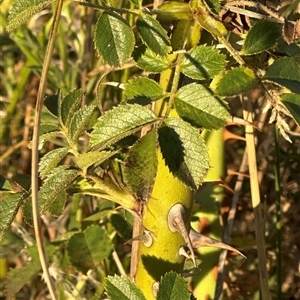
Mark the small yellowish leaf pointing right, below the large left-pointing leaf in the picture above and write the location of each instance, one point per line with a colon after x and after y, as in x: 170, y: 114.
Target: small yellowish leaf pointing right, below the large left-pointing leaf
x: 85, y: 160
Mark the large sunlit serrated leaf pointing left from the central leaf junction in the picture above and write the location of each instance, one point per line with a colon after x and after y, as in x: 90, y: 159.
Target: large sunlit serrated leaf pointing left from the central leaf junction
x: 119, y: 122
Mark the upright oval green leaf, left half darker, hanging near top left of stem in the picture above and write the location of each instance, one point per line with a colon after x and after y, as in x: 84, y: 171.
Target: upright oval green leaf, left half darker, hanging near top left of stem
x: 113, y: 38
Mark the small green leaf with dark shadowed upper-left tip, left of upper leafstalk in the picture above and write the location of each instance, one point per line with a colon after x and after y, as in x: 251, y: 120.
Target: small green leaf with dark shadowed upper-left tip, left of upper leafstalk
x: 149, y: 61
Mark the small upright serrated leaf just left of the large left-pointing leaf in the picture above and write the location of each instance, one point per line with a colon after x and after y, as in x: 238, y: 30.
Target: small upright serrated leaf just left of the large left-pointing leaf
x: 79, y: 122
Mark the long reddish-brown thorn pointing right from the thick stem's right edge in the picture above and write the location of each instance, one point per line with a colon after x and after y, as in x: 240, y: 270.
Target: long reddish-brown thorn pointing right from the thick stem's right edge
x: 199, y: 240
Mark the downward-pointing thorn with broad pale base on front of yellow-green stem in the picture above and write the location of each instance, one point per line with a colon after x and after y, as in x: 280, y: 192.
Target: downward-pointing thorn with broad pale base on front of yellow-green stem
x: 176, y: 223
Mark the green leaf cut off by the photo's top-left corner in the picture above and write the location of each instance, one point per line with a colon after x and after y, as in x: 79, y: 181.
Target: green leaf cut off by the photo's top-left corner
x: 21, y: 10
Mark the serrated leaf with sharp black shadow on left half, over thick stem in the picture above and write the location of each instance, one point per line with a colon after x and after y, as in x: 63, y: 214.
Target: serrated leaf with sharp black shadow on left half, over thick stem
x: 184, y: 151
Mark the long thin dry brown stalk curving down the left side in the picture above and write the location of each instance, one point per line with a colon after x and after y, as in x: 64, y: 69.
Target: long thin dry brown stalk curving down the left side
x: 35, y: 153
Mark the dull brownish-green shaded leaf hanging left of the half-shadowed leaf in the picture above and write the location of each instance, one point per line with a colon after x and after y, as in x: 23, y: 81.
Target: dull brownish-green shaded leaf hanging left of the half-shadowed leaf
x: 141, y: 166
